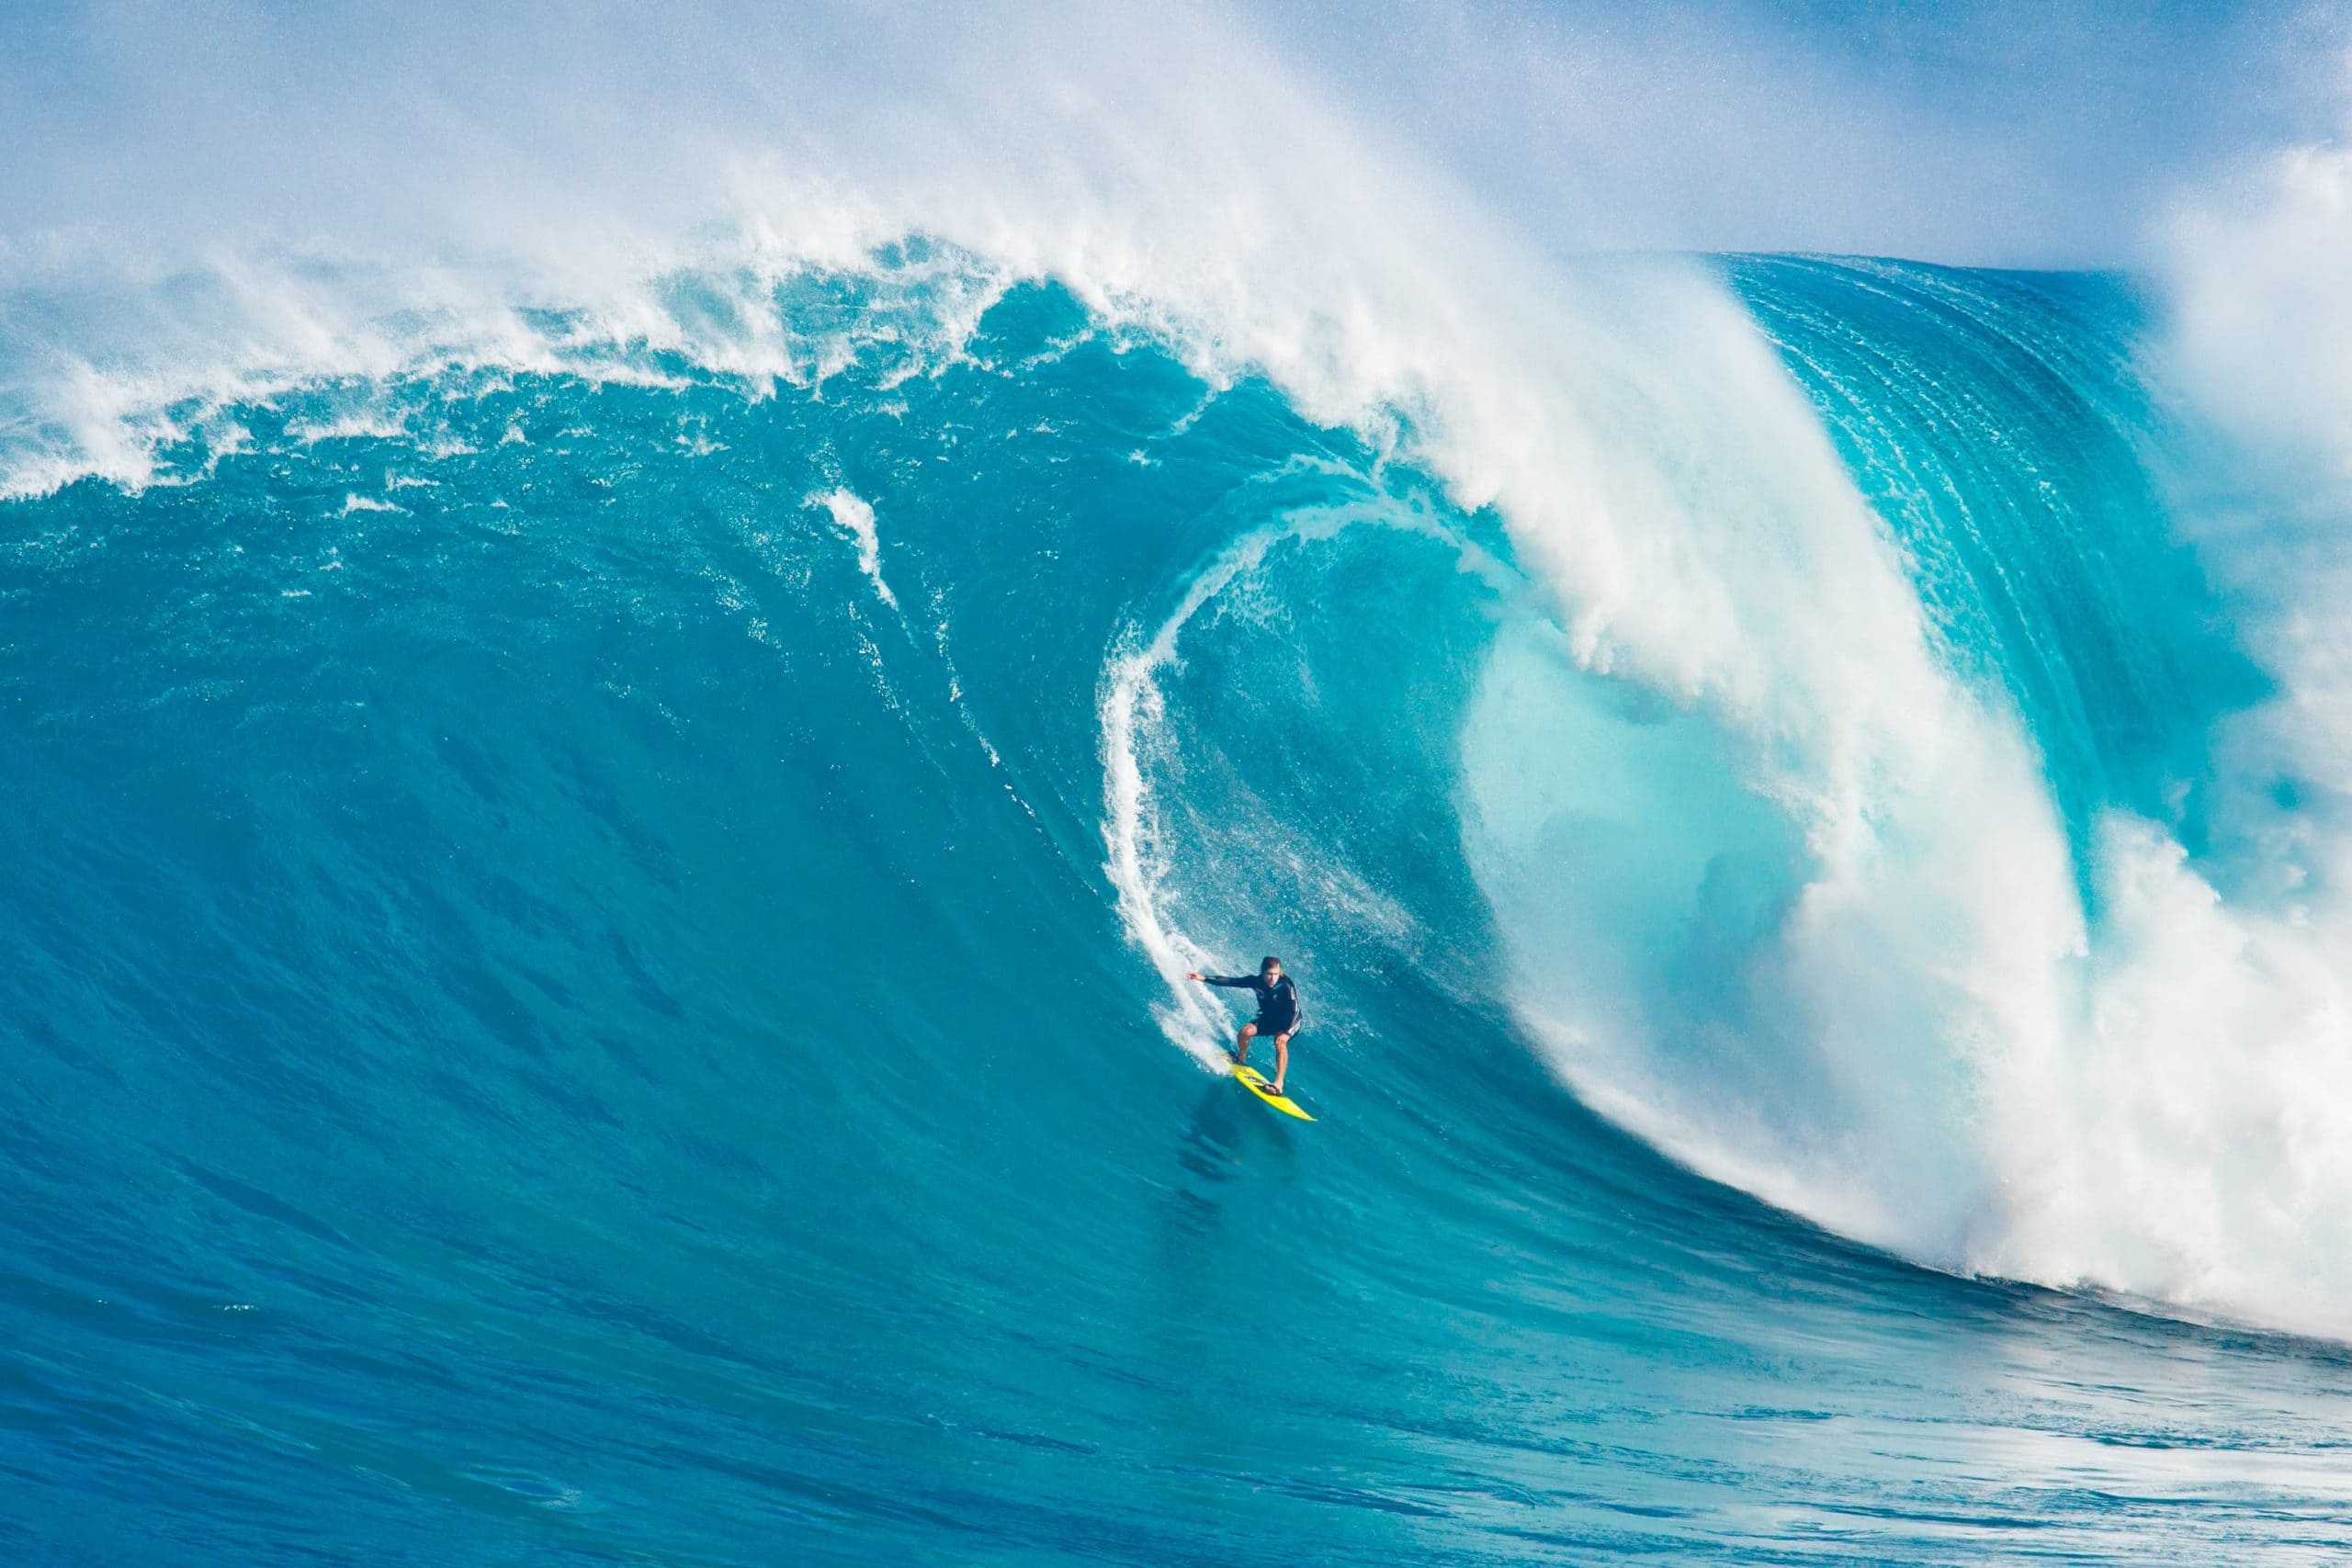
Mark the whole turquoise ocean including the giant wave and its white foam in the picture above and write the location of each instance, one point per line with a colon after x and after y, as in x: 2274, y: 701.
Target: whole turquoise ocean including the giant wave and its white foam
x: 592, y: 958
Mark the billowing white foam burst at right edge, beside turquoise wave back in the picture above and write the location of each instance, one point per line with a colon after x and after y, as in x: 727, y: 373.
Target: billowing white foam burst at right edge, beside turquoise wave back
x: 2189, y: 1132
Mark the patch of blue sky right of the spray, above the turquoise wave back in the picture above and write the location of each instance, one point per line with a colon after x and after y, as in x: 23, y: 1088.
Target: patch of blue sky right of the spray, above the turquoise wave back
x: 1996, y: 133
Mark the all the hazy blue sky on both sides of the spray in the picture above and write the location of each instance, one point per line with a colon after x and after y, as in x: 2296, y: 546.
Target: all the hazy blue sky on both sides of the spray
x: 2036, y: 135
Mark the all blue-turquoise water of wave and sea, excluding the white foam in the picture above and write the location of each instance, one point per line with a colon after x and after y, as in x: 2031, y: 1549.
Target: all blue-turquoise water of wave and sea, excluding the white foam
x: 556, y: 1017
